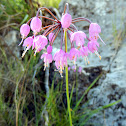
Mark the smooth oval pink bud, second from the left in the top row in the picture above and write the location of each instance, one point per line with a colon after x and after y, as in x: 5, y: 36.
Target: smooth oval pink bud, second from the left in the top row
x: 36, y: 24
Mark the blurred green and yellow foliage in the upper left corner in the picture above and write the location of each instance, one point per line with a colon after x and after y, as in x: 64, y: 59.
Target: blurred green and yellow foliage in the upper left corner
x: 13, y: 13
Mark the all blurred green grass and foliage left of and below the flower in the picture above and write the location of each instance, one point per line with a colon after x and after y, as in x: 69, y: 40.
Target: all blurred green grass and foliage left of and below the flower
x: 23, y: 97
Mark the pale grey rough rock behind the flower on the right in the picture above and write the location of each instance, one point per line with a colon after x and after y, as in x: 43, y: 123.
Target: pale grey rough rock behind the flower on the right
x: 112, y: 86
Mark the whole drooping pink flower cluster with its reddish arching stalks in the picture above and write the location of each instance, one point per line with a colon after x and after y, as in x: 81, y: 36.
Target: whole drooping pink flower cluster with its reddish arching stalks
x: 79, y: 47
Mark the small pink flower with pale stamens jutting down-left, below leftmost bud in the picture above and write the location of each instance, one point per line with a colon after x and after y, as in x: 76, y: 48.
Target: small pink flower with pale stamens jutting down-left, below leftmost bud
x: 27, y: 43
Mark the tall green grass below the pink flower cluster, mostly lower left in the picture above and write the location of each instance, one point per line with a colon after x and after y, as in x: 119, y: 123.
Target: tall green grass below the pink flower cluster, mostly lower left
x: 19, y: 104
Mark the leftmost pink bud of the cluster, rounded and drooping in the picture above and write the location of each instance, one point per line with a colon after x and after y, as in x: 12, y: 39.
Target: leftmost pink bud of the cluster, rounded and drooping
x: 24, y: 30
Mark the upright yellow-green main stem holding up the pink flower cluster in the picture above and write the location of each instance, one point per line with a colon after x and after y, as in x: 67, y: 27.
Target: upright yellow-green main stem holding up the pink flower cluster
x: 67, y: 86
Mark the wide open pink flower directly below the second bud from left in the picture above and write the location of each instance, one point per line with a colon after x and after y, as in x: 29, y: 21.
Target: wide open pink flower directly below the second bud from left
x: 39, y: 43
